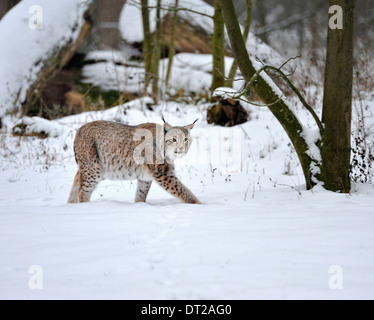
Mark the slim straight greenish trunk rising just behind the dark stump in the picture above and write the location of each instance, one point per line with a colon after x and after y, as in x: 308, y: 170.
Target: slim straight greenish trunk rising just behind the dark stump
x: 218, y: 78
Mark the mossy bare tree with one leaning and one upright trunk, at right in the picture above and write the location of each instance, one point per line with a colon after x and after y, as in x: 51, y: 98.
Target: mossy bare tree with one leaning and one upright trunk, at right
x: 315, y: 156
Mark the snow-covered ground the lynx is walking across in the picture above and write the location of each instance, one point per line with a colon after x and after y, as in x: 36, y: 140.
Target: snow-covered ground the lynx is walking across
x: 257, y: 235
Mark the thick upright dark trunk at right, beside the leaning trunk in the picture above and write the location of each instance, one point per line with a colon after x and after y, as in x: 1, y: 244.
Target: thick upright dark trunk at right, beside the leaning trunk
x: 337, y: 102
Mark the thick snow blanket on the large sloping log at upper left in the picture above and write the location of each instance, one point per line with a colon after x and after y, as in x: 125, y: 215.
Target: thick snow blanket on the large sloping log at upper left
x: 20, y: 70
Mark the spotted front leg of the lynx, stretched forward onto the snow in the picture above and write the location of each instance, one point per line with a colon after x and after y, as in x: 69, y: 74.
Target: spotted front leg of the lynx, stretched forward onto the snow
x: 172, y: 184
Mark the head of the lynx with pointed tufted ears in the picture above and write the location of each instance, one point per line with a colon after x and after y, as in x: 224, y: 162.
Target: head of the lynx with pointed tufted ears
x: 177, y: 140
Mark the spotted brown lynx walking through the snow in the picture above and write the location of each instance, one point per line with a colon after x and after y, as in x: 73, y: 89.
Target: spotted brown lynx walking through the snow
x: 108, y: 150
